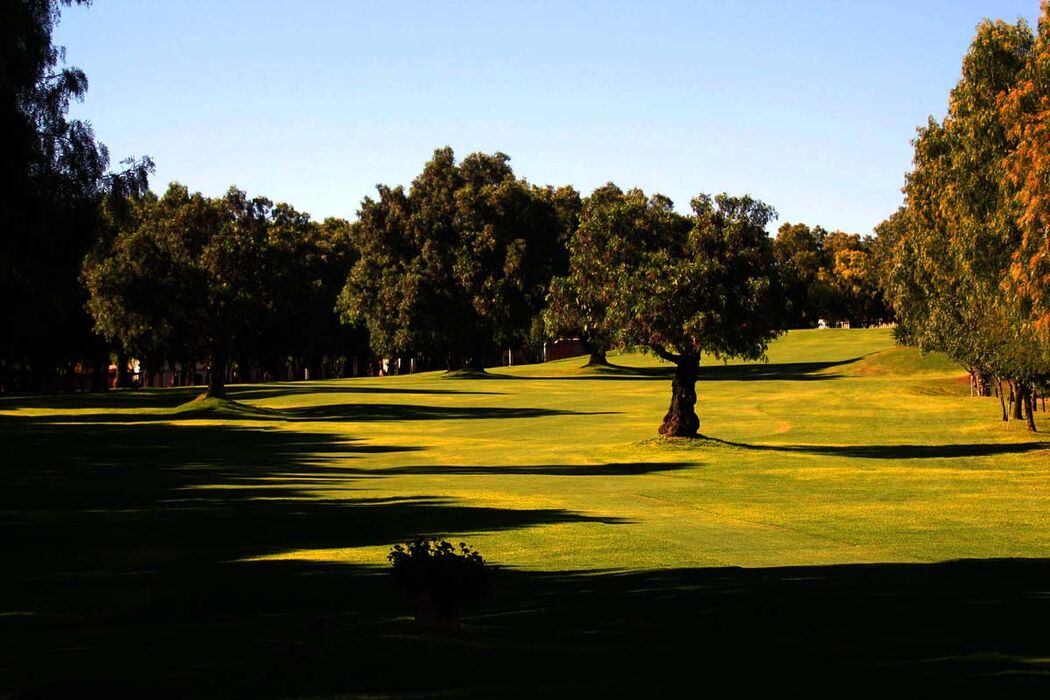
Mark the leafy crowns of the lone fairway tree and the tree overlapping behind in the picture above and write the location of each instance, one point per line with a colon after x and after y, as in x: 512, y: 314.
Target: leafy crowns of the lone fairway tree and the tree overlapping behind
x: 640, y: 274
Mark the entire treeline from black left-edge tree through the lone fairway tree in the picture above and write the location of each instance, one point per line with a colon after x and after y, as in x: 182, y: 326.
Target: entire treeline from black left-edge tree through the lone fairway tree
x: 467, y: 262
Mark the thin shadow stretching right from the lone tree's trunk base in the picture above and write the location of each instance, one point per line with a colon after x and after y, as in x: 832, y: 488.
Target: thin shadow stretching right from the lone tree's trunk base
x: 904, y: 452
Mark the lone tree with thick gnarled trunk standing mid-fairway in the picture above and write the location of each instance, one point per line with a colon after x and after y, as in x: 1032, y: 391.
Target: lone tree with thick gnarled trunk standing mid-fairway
x: 681, y: 286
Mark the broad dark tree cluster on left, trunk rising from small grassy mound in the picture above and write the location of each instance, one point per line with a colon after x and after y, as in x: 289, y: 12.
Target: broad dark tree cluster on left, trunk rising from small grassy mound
x: 240, y: 283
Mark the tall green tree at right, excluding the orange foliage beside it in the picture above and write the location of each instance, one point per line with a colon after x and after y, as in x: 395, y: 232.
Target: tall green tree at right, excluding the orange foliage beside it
x: 944, y: 260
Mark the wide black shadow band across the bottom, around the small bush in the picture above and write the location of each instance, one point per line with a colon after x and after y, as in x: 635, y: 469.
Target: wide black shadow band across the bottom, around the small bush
x: 290, y: 629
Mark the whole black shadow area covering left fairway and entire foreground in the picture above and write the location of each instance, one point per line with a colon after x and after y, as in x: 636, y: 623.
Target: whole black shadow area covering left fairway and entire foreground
x: 125, y: 577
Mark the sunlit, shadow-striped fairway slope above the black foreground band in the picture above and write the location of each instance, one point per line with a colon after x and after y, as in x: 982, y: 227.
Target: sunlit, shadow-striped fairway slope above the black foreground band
x: 843, y: 449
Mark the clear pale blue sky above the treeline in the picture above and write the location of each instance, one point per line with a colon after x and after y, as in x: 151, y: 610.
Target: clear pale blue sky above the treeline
x: 807, y: 105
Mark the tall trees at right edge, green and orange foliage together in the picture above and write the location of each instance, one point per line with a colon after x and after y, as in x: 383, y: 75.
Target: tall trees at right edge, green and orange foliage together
x: 964, y: 262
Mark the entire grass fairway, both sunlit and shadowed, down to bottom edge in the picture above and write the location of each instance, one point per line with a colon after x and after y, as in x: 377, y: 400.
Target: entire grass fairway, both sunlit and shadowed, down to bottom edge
x: 214, y: 548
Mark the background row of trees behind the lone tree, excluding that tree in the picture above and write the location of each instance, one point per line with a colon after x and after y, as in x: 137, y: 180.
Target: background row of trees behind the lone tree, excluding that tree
x: 470, y: 261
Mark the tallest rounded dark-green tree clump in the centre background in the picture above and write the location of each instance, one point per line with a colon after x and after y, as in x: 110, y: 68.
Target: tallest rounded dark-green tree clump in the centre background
x: 458, y: 264
